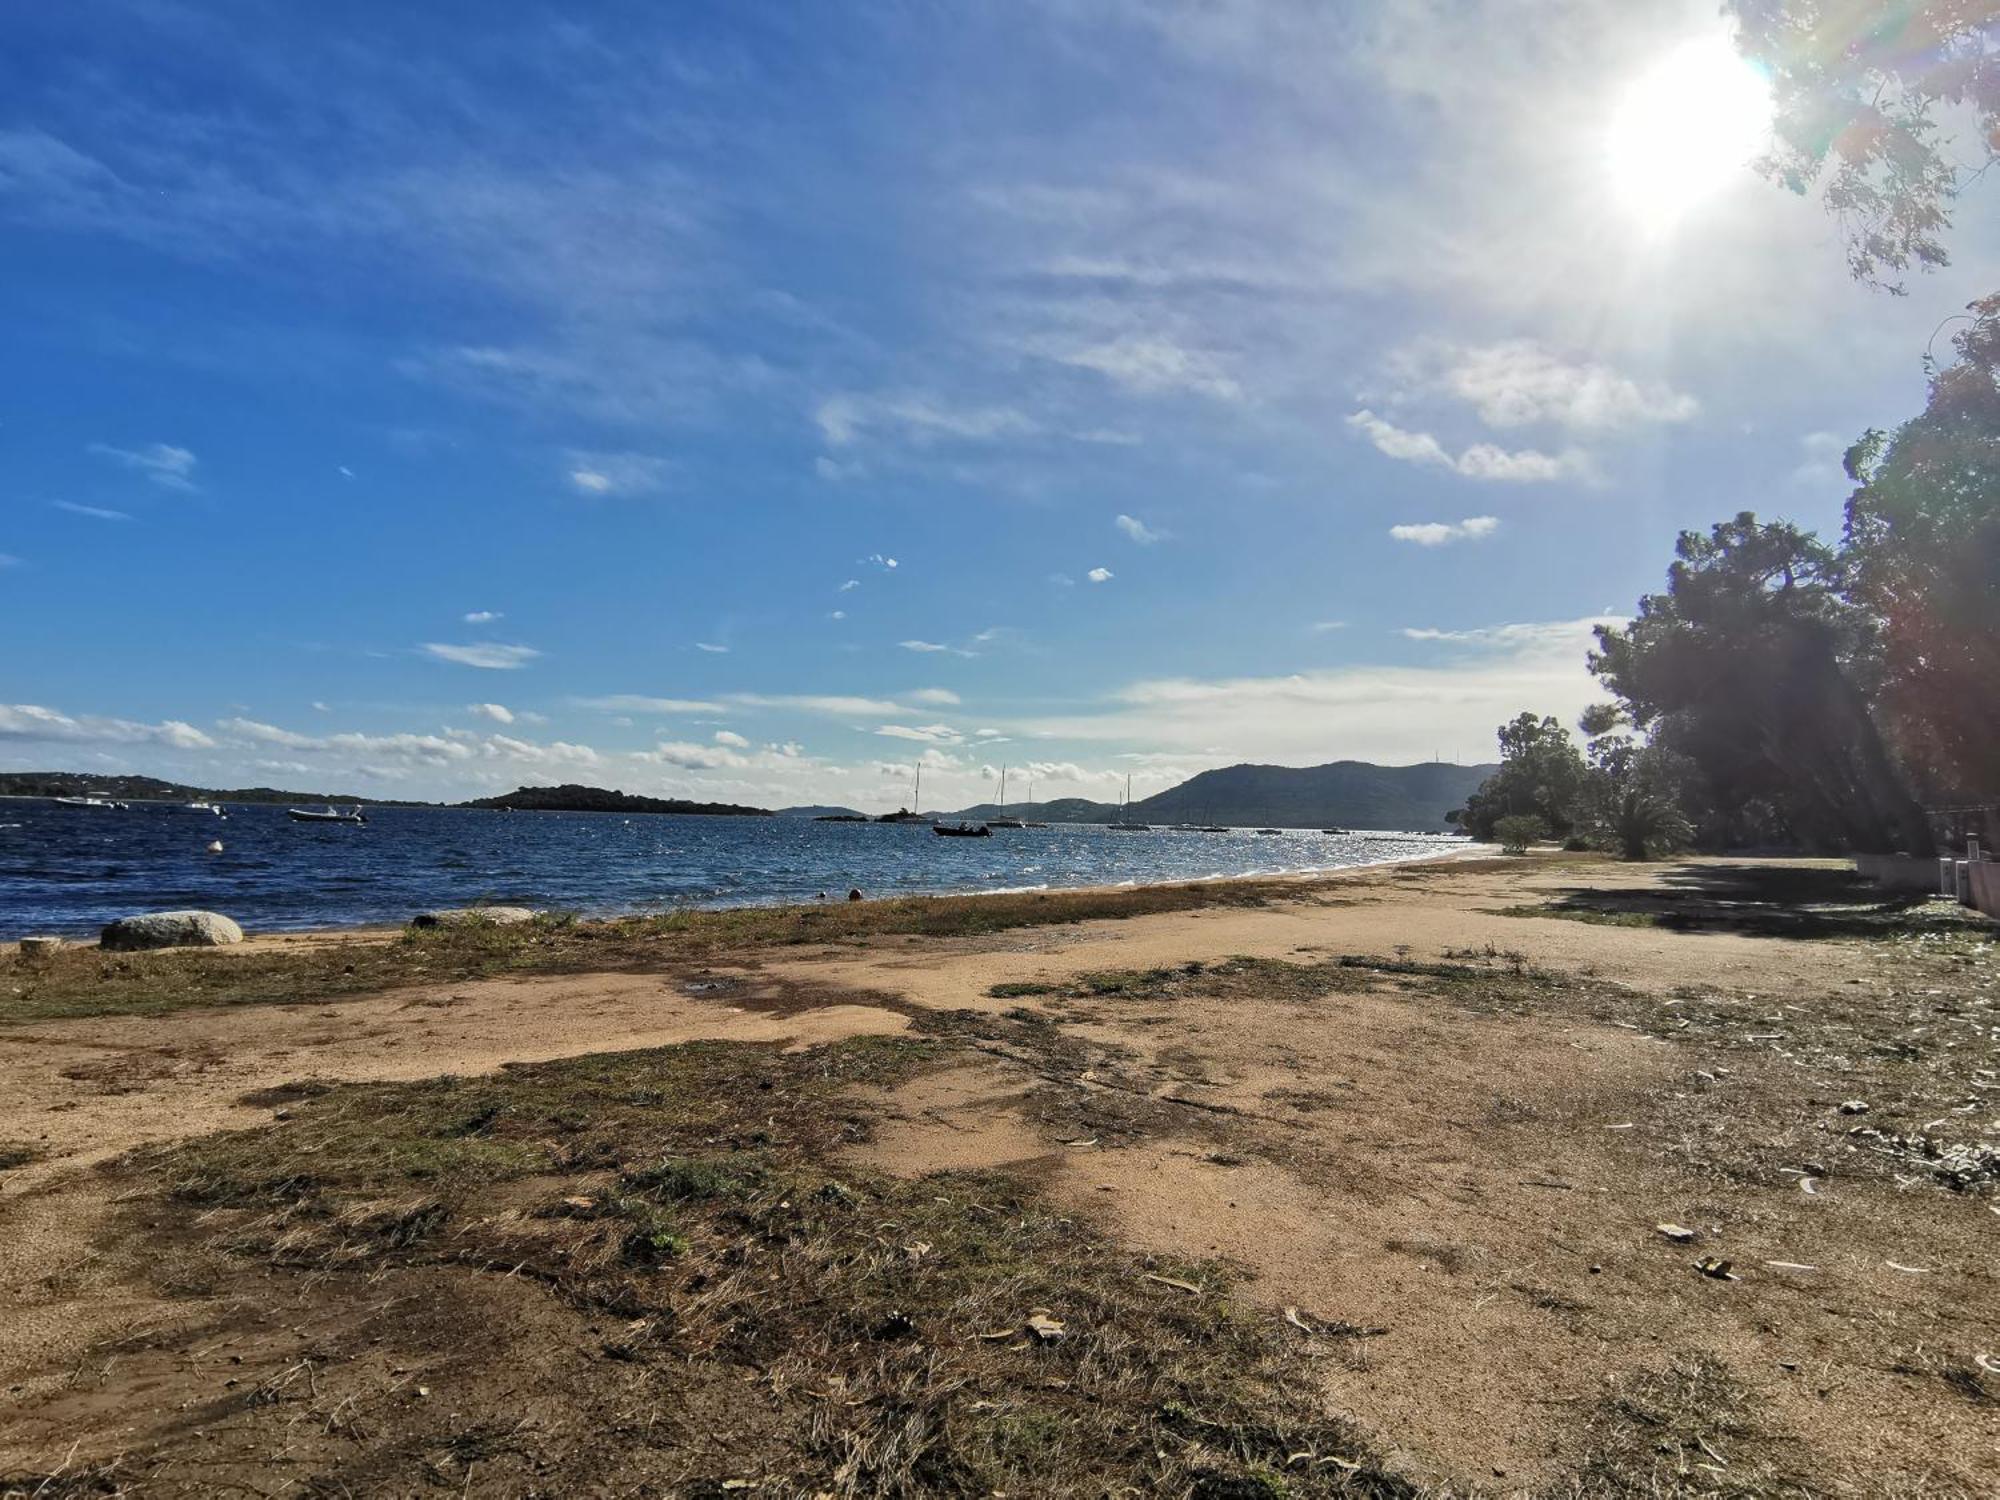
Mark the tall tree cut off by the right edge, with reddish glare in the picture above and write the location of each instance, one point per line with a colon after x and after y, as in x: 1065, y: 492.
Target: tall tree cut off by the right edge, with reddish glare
x: 1923, y: 557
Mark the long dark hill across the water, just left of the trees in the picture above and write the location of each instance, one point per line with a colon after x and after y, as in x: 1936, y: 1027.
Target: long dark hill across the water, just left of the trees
x: 1341, y: 795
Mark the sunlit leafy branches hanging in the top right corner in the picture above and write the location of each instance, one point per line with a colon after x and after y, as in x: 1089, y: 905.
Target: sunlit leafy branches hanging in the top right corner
x: 1861, y: 89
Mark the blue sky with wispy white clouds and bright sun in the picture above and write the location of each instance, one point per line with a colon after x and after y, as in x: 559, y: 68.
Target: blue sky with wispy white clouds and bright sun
x: 747, y: 403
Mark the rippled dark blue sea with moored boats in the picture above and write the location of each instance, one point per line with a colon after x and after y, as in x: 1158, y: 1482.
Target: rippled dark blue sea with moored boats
x: 69, y: 871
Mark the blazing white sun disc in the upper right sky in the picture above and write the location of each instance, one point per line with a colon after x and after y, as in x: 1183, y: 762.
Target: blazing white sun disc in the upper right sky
x: 1687, y: 129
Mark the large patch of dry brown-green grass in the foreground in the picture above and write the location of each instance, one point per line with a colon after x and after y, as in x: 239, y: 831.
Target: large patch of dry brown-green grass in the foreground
x: 841, y: 1333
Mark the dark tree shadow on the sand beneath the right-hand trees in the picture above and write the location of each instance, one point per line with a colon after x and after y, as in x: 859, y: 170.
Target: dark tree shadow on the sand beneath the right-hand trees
x: 1761, y: 901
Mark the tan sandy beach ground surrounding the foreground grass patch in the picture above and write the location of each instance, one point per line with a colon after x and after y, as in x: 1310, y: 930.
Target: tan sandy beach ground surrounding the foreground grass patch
x: 1467, y: 1143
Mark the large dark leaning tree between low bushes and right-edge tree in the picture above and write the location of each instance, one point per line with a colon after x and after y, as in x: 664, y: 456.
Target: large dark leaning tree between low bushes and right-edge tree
x: 1749, y: 665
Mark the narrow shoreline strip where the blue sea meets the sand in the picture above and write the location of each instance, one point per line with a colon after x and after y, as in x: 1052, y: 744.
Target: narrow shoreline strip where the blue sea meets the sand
x: 267, y: 937
